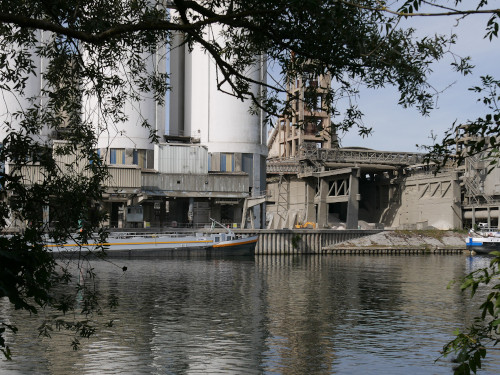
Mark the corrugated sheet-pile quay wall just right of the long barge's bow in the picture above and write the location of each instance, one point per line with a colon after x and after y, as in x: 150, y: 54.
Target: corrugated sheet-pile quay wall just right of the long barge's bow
x: 301, y: 241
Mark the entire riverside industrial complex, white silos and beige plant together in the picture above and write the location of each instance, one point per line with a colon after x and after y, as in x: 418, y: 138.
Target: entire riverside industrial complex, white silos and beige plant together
x: 214, y: 161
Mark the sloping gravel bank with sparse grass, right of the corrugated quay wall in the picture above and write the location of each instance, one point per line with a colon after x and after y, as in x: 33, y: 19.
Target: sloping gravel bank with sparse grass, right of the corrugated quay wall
x: 403, y: 242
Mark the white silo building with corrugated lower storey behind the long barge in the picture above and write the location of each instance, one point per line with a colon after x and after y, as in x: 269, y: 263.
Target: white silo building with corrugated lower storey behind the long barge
x: 210, y: 161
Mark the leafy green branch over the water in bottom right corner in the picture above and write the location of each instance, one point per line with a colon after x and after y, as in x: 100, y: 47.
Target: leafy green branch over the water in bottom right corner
x: 470, y: 346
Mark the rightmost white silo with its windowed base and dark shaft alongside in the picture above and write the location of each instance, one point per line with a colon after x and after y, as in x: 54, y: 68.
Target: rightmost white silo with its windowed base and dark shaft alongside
x: 234, y: 137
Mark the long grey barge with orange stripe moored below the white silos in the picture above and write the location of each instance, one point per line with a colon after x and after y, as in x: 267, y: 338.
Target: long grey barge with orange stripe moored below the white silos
x: 123, y: 244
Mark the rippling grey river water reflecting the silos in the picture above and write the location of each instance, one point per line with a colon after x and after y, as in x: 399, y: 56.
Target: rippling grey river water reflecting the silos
x: 269, y: 315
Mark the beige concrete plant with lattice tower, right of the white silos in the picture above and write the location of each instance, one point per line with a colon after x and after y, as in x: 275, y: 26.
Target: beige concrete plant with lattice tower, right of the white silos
x: 313, y: 183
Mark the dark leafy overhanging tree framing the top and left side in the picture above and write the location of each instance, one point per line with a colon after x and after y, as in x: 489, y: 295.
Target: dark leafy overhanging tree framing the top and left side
x: 98, y: 49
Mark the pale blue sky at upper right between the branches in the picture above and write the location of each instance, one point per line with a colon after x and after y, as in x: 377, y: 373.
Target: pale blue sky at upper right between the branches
x: 399, y: 129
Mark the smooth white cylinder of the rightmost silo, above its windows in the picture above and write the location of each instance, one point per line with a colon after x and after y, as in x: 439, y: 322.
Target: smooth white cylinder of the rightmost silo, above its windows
x: 222, y: 122
